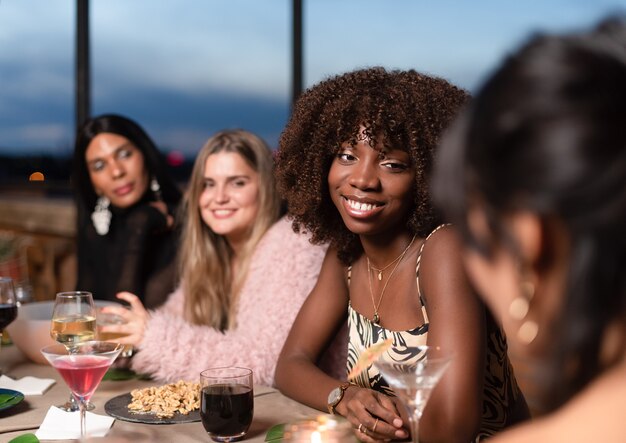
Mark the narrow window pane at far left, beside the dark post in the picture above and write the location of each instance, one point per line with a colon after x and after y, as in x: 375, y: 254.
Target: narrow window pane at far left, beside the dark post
x: 36, y: 86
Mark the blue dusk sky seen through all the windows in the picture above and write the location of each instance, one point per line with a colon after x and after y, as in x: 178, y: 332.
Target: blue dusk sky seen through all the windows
x: 186, y: 68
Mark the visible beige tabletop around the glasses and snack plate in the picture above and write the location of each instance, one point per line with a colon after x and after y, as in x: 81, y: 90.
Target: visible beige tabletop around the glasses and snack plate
x: 270, y: 407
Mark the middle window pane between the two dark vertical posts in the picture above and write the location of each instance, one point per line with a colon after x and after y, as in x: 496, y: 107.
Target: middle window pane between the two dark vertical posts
x: 187, y: 68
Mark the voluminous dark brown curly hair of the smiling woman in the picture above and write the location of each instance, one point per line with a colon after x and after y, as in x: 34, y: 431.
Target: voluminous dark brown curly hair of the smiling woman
x: 406, y: 109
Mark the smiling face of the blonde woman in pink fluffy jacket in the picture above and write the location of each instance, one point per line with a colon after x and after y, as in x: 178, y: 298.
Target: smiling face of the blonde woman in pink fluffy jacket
x: 229, y: 201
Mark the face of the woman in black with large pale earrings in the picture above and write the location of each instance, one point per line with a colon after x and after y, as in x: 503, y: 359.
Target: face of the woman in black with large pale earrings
x: 116, y: 169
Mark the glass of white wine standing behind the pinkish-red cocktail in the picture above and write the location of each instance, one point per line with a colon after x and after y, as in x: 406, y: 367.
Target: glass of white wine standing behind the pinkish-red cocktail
x: 73, y: 322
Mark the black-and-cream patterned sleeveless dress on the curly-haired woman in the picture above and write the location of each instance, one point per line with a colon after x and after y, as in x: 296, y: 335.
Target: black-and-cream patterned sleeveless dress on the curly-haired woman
x: 500, y: 393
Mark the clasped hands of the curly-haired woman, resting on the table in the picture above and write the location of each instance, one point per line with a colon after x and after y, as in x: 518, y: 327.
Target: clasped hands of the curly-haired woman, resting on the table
x: 373, y: 415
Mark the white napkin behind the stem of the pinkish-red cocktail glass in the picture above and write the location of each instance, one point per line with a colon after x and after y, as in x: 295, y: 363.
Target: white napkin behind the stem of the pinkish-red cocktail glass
x: 61, y: 425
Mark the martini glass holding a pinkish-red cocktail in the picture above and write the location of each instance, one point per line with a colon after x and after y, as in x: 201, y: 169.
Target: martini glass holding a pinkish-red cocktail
x: 82, y: 368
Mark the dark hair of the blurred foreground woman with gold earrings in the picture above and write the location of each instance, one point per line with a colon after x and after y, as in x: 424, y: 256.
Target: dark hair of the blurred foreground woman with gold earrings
x: 547, y: 134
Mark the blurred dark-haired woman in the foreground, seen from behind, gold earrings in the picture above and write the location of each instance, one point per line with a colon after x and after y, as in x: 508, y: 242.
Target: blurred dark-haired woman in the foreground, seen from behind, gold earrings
x: 534, y: 176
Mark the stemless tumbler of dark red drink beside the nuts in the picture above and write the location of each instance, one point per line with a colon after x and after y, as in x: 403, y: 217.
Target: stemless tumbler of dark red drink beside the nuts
x: 226, y: 402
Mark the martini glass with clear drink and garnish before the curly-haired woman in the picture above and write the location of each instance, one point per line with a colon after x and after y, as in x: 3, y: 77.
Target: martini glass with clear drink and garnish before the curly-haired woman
x: 414, y: 379
